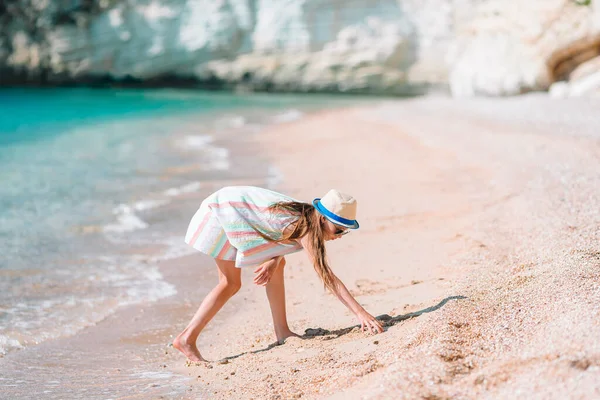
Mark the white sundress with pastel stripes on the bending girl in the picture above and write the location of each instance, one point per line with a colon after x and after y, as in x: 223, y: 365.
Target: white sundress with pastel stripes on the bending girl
x: 225, y: 226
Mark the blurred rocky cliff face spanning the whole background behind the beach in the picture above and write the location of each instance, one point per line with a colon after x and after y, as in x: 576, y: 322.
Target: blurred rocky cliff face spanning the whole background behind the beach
x: 475, y: 47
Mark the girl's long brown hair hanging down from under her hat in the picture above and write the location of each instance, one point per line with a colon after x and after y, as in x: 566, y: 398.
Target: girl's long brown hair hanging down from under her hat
x: 308, y: 223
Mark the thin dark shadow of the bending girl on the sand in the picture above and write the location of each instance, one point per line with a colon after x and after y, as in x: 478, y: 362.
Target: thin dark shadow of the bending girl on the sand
x: 386, y: 320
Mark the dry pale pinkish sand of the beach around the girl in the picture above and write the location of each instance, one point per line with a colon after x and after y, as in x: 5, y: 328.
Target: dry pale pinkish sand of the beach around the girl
x: 479, y: 247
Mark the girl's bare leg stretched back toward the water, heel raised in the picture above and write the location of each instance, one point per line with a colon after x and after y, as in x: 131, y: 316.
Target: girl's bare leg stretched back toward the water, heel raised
x: 229, y: 283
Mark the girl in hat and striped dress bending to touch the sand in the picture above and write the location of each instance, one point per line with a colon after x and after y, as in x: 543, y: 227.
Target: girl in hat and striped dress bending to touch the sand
x: 244, y: 226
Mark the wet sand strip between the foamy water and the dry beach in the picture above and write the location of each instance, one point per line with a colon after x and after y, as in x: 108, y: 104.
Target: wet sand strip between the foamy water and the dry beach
x: 144, y: 330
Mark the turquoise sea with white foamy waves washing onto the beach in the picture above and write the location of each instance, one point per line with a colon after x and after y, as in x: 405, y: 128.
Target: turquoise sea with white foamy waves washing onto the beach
x: 81, y: 170
